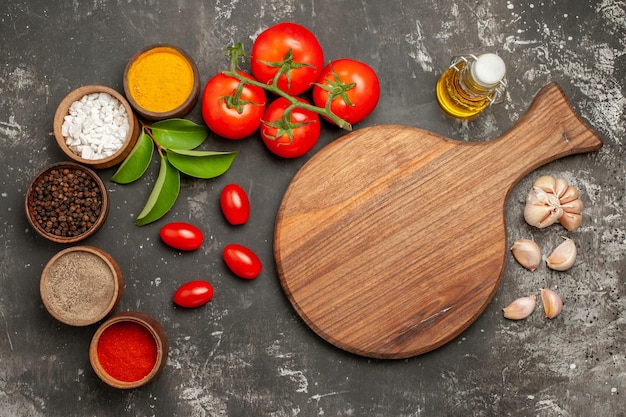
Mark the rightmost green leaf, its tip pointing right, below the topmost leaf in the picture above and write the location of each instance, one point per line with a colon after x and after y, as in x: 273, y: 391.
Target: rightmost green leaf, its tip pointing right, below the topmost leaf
x: 201, y: 164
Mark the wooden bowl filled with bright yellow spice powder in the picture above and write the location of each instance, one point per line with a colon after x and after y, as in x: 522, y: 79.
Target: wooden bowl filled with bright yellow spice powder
x: 167, y: 75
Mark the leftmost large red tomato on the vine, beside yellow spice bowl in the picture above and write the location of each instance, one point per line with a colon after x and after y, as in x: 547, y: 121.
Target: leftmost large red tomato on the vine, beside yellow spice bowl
x: 236, y: 122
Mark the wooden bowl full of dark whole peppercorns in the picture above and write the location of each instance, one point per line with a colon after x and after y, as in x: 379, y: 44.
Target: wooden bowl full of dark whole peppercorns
x: 66, y: 202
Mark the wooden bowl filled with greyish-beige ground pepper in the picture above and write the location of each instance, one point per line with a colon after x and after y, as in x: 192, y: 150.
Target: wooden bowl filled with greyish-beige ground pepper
x: 81, y: 285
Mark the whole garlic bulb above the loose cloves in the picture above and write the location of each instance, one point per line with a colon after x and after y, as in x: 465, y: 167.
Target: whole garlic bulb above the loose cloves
x: 551, y: 200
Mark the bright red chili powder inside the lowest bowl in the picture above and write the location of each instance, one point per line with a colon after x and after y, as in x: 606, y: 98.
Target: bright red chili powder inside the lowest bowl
x: 127, y: 351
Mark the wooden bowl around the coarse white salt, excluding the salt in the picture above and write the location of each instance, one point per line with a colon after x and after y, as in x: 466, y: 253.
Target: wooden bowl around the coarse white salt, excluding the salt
x: 63, y: 110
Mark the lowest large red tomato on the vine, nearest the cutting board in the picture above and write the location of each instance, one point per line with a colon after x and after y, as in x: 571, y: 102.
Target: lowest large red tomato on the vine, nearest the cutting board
x: 286, y: 141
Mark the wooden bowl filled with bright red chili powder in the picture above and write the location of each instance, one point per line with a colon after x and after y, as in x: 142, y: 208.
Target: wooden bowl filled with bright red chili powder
x: 123, y: 346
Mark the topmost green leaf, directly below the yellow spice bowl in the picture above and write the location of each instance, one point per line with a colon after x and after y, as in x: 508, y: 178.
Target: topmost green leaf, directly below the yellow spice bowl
x: 179, y: 133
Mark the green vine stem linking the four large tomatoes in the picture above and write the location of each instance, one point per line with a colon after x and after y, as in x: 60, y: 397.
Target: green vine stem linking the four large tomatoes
x: 235, y: 53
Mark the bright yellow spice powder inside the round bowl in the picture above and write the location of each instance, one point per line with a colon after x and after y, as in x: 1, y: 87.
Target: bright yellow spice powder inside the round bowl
x: 160, y: 80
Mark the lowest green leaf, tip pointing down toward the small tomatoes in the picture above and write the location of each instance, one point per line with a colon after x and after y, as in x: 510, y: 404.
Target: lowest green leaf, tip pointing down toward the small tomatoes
x: 163, y: 195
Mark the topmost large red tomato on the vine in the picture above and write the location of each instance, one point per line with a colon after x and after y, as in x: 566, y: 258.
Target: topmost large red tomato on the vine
x: 274, y: 46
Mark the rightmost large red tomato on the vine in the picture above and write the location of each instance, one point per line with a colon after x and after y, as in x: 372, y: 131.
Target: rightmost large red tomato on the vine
x: 357, y: 86
